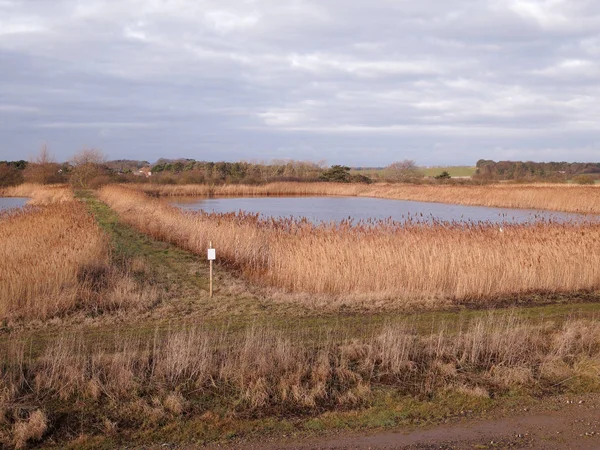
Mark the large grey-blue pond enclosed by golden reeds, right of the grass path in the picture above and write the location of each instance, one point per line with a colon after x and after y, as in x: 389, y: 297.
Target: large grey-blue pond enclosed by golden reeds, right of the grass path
x: 328, y: 209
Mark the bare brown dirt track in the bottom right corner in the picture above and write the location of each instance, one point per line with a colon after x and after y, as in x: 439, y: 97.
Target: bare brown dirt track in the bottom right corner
x: 561, y: 423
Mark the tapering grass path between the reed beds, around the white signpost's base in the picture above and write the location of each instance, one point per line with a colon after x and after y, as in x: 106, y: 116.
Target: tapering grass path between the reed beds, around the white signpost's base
x: 183, y: 276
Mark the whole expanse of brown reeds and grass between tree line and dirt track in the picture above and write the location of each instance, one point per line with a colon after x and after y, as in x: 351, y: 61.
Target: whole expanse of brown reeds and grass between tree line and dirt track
x: 108, y: 334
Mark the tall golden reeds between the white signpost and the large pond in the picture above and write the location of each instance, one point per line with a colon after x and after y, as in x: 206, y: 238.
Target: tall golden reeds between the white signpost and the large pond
x: 412, y: 264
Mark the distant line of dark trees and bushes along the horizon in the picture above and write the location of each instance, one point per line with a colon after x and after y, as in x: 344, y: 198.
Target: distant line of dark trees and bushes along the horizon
x: 89, y: 168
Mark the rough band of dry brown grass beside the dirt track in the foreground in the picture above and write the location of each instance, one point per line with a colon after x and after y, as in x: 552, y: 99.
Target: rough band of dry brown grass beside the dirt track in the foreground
x: 128, y: 382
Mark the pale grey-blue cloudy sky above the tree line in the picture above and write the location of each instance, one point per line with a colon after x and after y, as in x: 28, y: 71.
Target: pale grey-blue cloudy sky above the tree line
x: 362, y: 83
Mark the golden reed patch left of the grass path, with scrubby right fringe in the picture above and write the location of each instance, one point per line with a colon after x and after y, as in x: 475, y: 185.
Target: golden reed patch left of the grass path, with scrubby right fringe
x: 55, y: 259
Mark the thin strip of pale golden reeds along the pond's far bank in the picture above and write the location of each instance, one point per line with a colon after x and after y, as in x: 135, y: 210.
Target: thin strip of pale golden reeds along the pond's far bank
x: 568, y: 198
